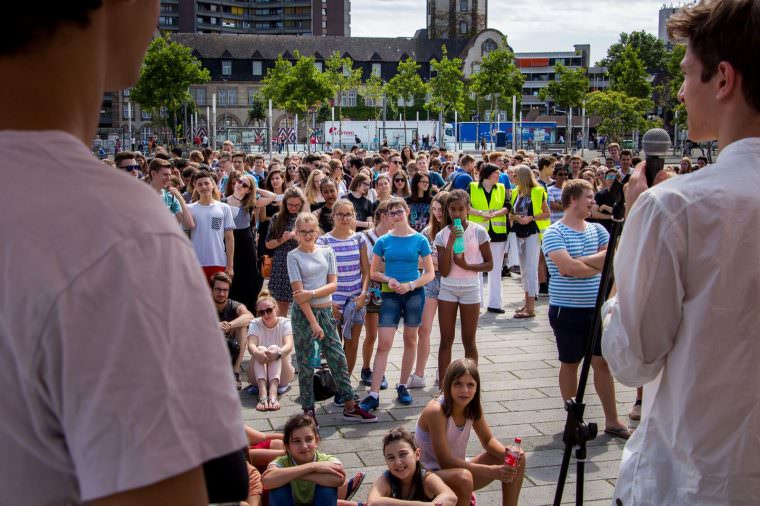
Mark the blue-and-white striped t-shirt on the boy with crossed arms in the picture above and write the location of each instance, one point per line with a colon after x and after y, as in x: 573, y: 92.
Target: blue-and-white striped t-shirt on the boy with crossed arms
x: 566, y: 291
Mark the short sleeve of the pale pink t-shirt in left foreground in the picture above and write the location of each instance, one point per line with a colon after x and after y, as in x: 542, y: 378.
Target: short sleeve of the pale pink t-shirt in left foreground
x: 129, y: 399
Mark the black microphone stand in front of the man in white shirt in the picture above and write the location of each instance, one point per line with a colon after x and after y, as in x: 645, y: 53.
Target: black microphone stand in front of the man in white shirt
x: 577, y: 432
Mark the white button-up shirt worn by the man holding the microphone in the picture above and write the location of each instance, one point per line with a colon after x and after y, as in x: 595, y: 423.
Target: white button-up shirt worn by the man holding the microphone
x: 686, y: 325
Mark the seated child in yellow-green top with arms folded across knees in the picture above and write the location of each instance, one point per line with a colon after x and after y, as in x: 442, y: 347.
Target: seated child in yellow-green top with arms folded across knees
x: 305, y: 476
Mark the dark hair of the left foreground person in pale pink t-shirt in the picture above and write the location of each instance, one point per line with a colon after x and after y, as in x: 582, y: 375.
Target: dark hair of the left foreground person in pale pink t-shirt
x: 35, y: 26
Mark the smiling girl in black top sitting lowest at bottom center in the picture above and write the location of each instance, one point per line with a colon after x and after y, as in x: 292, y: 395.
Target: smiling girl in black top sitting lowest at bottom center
x: 406, y: 481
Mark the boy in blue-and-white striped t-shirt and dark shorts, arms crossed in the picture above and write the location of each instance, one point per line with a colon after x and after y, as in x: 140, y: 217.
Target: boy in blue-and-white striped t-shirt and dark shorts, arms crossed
x: 570, y: 245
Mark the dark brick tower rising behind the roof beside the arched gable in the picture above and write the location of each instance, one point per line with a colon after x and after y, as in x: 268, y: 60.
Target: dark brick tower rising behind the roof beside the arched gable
x: 456, y: 19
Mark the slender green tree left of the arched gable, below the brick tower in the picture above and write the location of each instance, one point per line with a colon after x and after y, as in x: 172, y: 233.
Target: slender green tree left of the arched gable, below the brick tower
x: 446, y: 87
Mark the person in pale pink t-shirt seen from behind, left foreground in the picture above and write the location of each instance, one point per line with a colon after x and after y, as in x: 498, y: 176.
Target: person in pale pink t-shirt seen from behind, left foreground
x: 111, y: 391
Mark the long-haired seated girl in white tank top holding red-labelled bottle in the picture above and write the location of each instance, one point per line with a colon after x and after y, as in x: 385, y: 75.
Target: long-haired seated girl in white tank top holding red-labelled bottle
x: 443, y: 430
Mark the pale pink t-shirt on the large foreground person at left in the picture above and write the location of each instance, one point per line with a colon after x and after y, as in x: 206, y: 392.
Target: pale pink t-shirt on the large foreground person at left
x: 105, y: 320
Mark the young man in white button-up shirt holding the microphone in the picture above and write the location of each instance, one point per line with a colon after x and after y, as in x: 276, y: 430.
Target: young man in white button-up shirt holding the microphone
x: 684, y: 323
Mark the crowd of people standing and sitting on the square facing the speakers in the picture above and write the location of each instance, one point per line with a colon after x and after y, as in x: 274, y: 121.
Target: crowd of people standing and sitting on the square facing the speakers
x: 353, y: 242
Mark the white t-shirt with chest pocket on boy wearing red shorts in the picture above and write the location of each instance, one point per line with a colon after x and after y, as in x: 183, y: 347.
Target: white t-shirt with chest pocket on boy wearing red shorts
x: 211, y: 221
